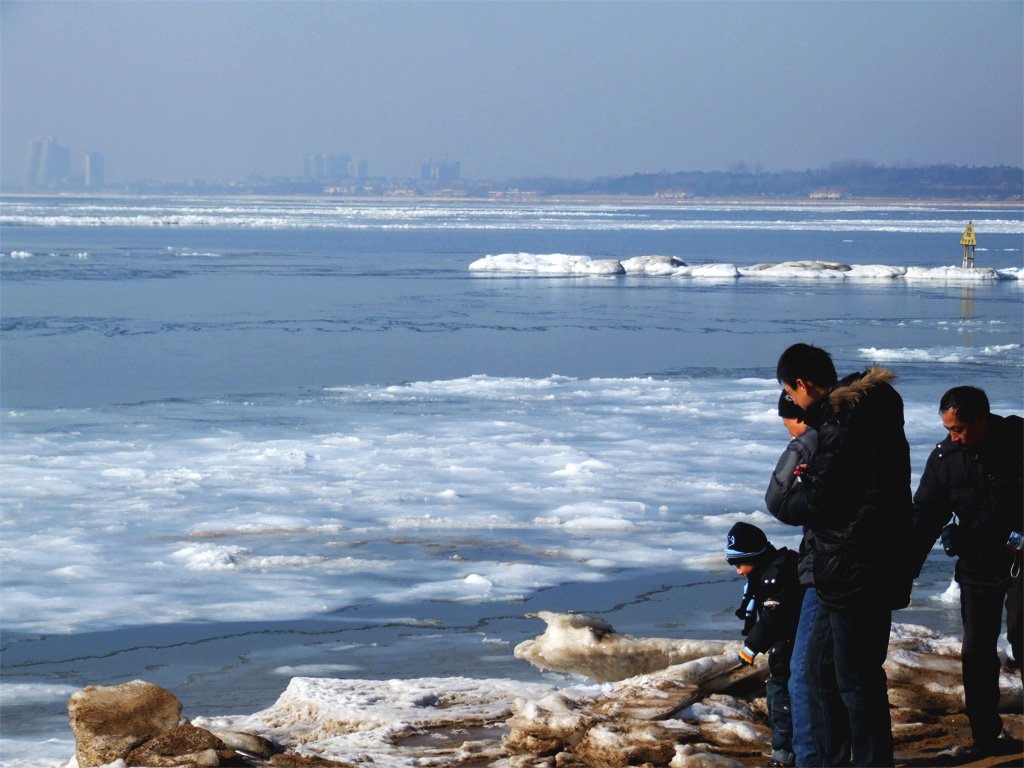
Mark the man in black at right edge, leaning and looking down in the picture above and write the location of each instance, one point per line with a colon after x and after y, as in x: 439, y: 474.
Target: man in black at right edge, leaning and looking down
x: 975, y: 478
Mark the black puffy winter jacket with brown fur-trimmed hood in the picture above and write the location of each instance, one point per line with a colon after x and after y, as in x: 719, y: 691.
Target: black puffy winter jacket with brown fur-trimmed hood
x: 856, y: 495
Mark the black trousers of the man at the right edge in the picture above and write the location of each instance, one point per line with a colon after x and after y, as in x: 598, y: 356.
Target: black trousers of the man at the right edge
x: 982, y: 610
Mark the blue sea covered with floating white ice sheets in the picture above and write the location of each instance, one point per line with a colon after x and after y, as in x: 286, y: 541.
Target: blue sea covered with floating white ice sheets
x: 251, y: 440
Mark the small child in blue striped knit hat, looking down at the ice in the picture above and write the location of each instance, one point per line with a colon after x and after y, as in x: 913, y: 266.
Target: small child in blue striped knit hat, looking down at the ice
x: 771, y: 611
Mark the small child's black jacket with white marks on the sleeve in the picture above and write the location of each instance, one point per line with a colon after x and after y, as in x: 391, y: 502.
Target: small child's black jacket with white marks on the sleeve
x: 777, y: 594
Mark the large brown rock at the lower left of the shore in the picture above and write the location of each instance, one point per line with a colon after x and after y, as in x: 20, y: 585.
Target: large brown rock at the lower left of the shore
x: 110, y: 721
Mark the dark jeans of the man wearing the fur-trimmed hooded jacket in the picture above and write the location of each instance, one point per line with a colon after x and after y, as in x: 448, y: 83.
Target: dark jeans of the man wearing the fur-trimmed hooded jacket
x: 847, y: 687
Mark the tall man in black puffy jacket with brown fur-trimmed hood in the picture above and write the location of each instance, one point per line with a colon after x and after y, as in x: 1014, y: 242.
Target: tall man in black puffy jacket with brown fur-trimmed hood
x: 856, y: 497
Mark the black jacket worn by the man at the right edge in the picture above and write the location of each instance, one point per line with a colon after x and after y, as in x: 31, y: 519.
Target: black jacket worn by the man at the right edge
x: 985, y: 489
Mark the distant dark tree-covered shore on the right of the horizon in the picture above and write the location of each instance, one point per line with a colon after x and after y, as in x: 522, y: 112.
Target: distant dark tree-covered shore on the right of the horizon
x: 846, y: 181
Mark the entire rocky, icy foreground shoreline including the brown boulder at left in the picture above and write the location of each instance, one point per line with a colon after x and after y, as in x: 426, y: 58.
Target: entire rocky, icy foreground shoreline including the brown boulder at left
x: 678, y: 704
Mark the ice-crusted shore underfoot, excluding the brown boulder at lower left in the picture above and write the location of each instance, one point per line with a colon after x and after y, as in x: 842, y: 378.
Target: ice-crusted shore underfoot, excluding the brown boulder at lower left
x: 702, y: 708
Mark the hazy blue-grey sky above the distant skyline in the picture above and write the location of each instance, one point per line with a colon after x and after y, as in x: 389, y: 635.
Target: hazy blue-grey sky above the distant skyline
x: 175, y: 91
